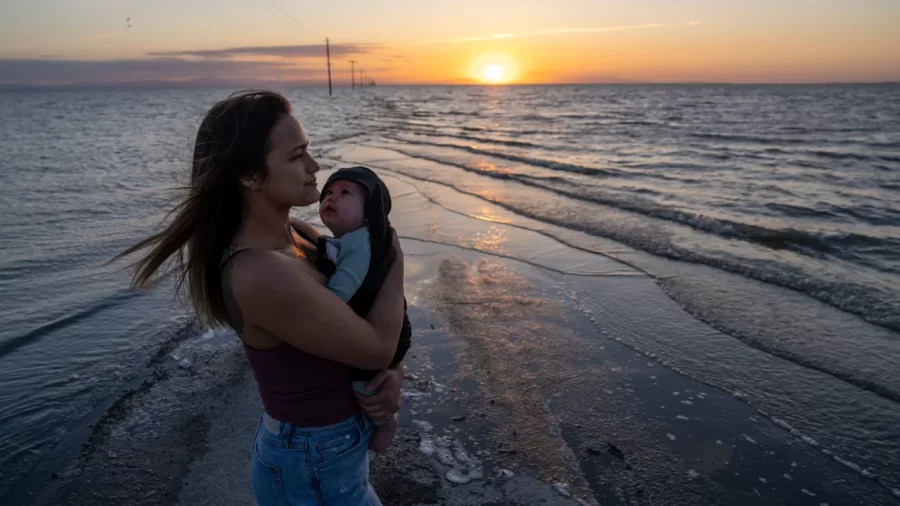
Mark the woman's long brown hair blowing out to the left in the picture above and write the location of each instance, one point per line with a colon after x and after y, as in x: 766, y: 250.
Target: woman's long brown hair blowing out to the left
x: 232, y: 143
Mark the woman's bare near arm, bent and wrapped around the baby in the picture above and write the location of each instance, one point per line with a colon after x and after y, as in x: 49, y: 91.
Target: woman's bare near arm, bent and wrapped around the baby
x: 279, y: 295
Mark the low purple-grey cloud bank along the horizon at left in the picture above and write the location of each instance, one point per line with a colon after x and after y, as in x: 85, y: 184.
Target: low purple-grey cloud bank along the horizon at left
x: 65, y: 71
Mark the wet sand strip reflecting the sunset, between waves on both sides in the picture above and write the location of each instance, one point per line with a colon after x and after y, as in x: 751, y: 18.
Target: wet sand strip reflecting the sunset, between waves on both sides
x: 519, y: 391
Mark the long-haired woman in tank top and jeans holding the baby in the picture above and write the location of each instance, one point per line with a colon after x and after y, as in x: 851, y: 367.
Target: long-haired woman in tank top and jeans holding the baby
x: 248, y: 268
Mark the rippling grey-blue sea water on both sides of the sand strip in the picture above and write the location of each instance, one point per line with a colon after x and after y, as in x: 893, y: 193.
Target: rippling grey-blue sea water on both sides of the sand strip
x: 786, y: 190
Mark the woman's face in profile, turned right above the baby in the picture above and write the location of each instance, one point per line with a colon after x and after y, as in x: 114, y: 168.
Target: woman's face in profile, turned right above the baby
x: 291, y: 171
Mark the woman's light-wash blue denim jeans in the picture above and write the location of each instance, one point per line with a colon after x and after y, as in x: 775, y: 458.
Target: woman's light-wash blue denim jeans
x: 299, y: 466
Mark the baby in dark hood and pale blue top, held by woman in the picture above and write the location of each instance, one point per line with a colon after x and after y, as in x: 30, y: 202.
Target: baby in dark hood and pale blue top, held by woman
x: 354, y: 205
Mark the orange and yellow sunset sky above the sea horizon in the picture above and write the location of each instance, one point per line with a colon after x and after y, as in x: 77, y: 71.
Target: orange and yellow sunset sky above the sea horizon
x: 464, y: 41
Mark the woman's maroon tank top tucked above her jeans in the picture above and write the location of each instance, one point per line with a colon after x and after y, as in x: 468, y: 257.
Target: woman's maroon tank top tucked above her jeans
x: 295, y: 387
